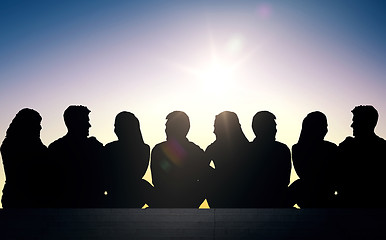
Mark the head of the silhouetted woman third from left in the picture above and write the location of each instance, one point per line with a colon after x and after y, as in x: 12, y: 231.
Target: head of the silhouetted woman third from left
x: 127, y: 127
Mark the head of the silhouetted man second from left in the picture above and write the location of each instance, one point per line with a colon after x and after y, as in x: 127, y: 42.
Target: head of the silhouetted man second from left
x: 77, y: 120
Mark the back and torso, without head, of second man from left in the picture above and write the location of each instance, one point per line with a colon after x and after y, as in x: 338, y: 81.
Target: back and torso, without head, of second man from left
x: 78, y: 165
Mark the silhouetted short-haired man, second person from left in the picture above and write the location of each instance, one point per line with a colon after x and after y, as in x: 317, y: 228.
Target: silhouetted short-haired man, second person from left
x: 78, y: 163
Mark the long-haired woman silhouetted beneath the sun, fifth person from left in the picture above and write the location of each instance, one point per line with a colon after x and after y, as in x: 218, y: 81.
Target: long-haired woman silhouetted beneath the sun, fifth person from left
x: 229, y: 154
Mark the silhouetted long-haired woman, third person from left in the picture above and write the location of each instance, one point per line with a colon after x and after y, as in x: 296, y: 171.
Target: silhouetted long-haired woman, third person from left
x: 126, y: 163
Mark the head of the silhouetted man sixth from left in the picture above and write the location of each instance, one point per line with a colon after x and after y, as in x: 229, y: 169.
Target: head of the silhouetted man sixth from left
x: 264, y: 126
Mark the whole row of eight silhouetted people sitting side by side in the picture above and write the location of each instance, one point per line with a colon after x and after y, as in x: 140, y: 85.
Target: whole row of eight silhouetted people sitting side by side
x: 77, y: 171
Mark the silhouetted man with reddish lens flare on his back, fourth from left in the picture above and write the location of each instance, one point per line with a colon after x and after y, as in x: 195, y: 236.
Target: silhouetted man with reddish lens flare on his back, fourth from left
x: 178, y: 166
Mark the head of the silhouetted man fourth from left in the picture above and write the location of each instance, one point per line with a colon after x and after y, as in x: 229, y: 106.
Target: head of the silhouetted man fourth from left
x: 177, y: 125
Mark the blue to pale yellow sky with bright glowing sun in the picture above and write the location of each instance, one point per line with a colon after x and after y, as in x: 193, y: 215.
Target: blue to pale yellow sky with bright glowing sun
x: 201, y: 57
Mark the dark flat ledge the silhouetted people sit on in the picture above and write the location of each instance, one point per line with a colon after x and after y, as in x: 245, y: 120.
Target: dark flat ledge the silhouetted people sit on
x: 192, y: 224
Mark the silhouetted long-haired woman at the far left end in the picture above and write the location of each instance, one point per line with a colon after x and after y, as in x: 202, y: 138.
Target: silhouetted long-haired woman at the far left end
x: 24, y: 159
